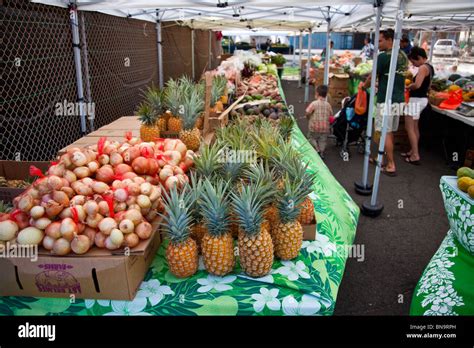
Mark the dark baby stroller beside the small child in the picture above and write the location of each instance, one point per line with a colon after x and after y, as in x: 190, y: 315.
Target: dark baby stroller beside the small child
x: 349, y: 128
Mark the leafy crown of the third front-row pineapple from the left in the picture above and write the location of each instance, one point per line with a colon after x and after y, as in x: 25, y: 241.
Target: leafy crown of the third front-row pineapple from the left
x: 248, y: 207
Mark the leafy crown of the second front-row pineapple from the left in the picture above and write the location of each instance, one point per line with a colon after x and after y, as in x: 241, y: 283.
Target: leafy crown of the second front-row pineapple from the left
x: 214, y: 202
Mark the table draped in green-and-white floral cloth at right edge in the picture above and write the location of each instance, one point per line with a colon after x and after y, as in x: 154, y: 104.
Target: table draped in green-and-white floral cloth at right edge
x: 446, y: 287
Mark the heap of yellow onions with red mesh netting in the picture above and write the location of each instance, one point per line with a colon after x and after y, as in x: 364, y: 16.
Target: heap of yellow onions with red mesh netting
x: 103, y: 195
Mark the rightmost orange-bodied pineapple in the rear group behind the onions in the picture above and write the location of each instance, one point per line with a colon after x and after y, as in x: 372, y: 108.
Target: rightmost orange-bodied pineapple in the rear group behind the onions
x: 193, y: 104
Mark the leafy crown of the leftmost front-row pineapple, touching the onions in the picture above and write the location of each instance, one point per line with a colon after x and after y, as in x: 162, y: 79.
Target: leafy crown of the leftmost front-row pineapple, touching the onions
x: 177, y: 219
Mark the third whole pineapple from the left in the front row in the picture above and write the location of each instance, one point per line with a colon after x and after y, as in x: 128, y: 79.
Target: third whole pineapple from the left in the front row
x: 255, y: 243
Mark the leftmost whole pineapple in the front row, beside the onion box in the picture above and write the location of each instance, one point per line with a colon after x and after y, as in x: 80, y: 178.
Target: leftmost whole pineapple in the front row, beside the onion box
x: 182, y: 250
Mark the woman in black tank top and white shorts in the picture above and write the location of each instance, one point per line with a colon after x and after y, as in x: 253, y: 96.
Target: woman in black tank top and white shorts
x: 418, y: 101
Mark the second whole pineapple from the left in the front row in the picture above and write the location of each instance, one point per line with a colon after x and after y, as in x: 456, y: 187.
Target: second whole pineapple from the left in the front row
x: 217, y: 243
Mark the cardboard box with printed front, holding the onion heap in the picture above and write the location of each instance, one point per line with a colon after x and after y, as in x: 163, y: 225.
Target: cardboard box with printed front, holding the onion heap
x: 99, y: 274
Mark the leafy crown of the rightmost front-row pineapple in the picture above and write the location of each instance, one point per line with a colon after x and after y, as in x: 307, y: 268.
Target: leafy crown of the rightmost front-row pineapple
x: 289, y: 200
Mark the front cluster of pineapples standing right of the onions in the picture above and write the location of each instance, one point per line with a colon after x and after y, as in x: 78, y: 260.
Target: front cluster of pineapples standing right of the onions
x: 262, y: 203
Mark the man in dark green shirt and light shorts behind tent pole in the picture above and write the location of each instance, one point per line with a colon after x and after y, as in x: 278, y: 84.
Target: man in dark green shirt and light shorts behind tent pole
x: 398, y: 95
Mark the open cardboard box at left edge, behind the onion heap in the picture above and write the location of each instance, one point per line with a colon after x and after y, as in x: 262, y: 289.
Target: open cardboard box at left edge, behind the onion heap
x: 17, y: 170
